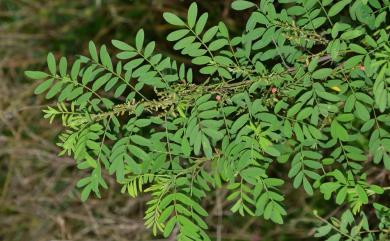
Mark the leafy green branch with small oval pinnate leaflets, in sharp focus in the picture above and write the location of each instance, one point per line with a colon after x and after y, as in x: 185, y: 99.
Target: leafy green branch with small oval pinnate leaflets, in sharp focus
x: 301, y: 87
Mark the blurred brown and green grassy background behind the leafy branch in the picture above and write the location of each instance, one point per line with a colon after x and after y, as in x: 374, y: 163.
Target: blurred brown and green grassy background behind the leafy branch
x: 38, y: 198
